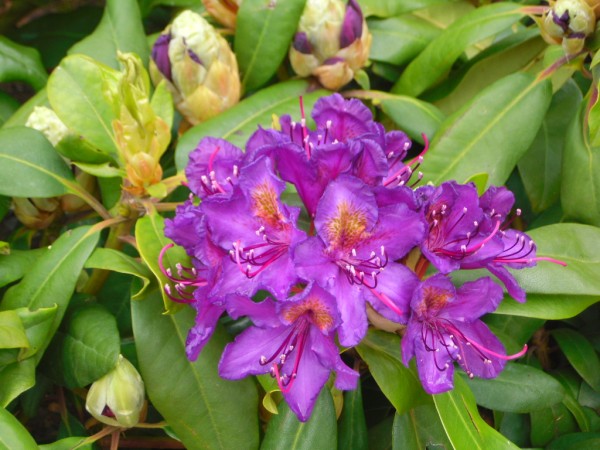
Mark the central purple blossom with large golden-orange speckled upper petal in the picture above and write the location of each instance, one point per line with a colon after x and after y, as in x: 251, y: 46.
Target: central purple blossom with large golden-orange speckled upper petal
x: 354, y: 251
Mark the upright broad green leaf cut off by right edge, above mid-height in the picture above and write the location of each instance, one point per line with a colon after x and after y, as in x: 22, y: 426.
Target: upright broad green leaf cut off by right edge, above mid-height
x: 580, y: 174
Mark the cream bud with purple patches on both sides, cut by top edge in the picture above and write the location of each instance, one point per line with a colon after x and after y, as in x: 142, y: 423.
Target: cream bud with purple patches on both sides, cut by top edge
x: 332, y: 42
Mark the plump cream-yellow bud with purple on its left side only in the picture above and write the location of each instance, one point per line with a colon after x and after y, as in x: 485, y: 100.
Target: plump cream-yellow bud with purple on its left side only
x: 200, y: 68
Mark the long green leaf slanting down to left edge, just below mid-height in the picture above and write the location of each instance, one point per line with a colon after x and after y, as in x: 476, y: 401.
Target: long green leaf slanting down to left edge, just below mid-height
x: 51, y: 280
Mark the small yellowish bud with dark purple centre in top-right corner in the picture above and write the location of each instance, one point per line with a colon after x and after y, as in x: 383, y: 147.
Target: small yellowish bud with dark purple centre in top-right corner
x: 568, y: 22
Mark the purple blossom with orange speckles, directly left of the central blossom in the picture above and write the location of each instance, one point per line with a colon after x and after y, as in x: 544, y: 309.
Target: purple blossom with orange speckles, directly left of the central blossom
x: 258, y: 232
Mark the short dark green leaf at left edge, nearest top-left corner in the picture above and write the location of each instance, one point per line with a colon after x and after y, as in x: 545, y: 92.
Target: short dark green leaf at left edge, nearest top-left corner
x: 20, y: 63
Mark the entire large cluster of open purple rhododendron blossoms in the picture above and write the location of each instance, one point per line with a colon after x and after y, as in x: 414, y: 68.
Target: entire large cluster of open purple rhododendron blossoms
x: 342, y: 252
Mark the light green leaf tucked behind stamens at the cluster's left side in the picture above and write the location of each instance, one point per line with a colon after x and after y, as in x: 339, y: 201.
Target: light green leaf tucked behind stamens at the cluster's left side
x: 150, y: 237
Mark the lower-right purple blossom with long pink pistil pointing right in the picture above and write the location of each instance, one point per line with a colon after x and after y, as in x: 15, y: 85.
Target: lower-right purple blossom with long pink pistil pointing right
x: 444, y: 327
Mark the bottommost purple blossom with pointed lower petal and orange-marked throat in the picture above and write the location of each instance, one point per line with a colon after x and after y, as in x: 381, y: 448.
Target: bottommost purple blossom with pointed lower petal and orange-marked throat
x: 292, y: 340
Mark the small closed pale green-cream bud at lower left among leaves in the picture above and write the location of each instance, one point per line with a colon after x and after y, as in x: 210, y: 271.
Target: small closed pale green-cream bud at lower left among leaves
x: 118, y: 397
